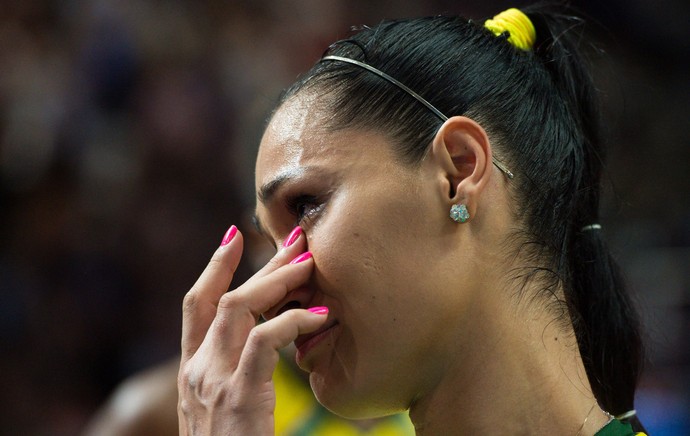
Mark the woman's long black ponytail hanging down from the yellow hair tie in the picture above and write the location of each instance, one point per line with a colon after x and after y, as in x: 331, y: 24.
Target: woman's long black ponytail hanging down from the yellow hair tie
x: 604, y: 318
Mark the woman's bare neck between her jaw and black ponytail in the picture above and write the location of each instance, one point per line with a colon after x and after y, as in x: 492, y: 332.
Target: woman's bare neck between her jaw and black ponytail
x: 525, y: 377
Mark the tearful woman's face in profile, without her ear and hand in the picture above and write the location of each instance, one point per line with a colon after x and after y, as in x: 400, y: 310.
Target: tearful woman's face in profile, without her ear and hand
x: 384, y: 264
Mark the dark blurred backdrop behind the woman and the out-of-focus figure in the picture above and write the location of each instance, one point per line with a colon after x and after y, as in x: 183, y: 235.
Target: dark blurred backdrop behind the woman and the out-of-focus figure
x: 127, y: 135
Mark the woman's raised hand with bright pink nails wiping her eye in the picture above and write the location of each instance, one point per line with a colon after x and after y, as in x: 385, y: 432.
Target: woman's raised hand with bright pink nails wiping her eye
x: 225, y: 380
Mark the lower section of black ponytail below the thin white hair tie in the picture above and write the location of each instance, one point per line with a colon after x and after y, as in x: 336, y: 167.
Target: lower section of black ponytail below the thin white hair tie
x: 606, y: 323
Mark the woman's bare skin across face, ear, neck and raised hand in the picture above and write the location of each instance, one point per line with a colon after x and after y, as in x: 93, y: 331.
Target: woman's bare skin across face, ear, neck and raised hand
x: 422, y: 312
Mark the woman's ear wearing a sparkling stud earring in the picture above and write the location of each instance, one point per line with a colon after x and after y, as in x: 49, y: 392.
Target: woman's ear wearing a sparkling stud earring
x: 463, y: 149
